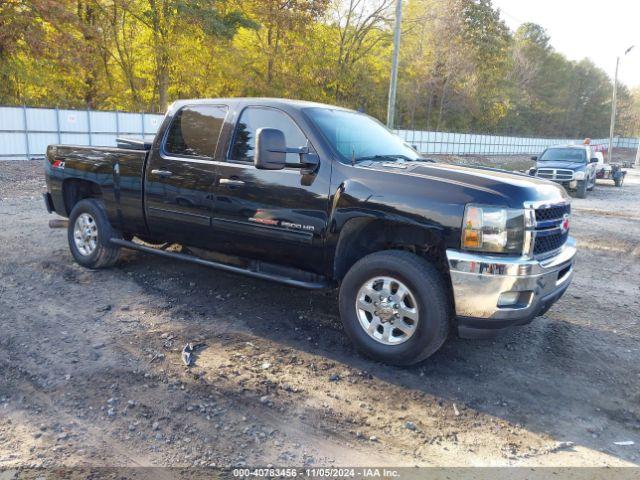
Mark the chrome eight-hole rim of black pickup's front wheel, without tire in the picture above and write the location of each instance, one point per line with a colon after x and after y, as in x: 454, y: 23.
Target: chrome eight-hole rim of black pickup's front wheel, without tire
x: 387, y: 310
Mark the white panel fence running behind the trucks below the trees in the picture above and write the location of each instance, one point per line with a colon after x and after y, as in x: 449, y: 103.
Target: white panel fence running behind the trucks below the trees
x: 26, y: 132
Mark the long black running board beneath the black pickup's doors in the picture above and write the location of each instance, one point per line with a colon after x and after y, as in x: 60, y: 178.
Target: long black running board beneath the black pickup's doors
x: 311, y: 285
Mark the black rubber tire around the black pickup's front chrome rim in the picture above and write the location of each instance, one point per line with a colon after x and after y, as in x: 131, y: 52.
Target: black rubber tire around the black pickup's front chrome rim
x: 428, y: 287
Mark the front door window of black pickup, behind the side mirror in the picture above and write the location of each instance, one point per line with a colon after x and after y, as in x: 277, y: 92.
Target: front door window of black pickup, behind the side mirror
x: 253, y: 118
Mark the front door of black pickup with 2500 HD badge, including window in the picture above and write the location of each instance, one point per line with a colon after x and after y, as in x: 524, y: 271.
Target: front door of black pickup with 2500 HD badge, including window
x: 278, y: 216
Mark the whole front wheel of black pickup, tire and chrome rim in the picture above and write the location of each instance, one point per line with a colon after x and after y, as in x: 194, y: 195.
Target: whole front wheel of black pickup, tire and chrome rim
x: 394, y: 307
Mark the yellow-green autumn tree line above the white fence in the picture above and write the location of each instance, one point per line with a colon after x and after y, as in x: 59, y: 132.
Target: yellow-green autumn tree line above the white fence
x: 461, y: 69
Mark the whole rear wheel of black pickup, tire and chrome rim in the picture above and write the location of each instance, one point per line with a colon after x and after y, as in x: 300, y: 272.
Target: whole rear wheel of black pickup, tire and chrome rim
x: 89, y: 234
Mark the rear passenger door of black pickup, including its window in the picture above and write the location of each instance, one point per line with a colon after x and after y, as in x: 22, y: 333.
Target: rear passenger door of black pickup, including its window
x: 180, y: 176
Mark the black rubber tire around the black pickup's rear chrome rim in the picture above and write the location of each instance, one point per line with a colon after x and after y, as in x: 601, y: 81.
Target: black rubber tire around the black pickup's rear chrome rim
x: 105, y: 254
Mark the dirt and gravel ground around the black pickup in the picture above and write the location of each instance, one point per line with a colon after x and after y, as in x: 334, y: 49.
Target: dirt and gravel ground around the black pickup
x: 90, y: 369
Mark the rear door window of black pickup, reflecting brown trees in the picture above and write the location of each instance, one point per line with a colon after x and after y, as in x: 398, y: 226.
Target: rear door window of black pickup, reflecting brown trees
x: 195, y: 131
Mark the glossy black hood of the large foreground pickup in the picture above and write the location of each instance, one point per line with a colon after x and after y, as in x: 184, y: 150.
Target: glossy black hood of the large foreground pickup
x: 479, y: 184
